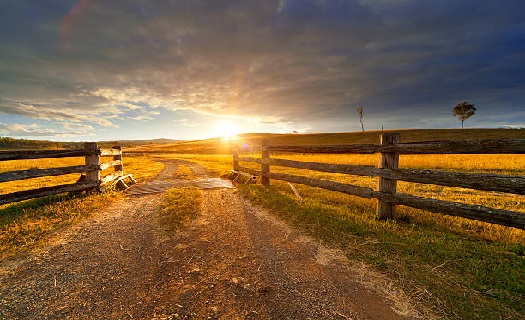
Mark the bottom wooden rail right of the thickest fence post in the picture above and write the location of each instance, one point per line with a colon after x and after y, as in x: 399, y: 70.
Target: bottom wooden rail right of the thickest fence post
x: 474, y: 212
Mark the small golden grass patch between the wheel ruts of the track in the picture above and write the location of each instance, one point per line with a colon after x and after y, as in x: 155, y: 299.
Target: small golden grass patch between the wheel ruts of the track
x: 179, y: 206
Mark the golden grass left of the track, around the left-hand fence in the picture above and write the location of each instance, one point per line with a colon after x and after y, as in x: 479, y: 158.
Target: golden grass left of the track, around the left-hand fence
x: 29, y: 225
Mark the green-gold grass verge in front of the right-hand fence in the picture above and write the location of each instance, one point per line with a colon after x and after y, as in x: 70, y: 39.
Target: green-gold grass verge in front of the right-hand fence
x: 463, y: 275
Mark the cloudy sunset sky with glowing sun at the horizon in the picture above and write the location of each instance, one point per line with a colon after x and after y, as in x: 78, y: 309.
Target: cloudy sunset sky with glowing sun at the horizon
x: 194, y: 69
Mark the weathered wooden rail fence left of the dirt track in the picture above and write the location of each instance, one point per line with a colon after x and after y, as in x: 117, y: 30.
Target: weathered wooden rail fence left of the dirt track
x: 92, y: 168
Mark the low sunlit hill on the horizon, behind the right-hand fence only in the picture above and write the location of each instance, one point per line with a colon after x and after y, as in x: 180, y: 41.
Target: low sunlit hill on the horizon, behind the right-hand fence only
x: 253, y: 140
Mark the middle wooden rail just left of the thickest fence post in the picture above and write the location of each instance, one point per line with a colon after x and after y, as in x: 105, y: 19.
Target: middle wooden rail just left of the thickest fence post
x: 327, y: 167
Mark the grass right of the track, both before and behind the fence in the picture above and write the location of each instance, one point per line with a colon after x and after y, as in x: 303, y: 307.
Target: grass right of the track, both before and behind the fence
x: 462, y: 269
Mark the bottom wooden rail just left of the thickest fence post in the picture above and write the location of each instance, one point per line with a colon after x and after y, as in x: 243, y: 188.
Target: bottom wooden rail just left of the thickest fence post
x: 325, y: 184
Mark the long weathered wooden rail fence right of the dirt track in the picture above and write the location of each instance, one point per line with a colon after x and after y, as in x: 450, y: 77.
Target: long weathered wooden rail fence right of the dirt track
x: 388, y: 174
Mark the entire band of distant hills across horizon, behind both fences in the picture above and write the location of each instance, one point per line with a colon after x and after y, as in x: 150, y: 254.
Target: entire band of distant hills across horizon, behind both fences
x: 253, y: 140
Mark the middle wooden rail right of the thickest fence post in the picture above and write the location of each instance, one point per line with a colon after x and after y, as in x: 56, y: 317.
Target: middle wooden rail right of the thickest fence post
x: 476, y: 181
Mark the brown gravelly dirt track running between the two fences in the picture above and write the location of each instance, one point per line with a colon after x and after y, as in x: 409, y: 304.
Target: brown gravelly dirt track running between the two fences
x: 234, y: 262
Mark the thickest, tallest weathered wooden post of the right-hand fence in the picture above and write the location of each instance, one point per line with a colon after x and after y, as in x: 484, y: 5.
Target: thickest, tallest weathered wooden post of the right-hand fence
x: 387, y: 160
